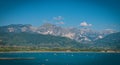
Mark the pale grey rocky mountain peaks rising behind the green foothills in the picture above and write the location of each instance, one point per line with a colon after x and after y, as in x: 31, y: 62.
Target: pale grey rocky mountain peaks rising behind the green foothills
x: 79, y: 34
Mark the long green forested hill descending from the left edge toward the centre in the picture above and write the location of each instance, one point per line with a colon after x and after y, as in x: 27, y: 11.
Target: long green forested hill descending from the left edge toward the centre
x: 37, y: 40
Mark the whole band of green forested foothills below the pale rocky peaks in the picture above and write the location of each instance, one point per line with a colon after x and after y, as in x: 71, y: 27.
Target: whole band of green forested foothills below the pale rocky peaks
x: 24, y: 39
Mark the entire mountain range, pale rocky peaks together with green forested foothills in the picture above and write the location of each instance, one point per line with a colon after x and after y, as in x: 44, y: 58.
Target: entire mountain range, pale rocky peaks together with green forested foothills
x: 50, y: 35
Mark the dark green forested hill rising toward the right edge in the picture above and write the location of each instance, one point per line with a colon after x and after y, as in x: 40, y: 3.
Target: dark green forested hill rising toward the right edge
x: 111, y: 41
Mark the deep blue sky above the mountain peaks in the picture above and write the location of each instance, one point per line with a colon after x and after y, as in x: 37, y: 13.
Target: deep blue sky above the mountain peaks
x: 97, y: 14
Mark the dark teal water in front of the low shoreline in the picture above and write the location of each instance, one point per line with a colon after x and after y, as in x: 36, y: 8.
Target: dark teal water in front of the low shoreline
x: 54, y: 58
